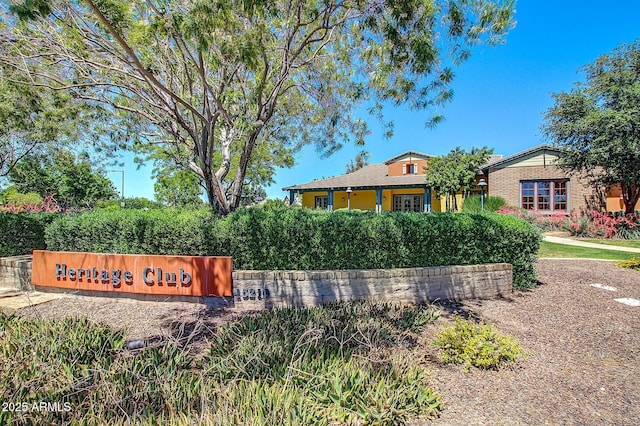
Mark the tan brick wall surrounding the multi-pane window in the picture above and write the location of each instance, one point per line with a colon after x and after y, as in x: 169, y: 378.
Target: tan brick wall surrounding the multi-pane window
x: 505, y: 183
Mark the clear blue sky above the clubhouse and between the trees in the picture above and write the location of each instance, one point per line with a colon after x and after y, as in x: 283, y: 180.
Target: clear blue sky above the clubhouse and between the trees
x: 500, y: 96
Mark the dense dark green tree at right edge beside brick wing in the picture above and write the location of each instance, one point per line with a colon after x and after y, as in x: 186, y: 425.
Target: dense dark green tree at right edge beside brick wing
x: 598, y: 123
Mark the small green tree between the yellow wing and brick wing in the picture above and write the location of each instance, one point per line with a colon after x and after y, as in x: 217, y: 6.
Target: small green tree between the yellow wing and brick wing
x: 449, y: 174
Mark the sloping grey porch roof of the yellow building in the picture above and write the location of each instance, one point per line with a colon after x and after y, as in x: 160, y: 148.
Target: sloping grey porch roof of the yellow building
x: 372, y: 176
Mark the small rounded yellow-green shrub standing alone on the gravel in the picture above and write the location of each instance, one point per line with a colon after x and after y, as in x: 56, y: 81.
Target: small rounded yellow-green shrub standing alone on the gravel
x: 476, y: 345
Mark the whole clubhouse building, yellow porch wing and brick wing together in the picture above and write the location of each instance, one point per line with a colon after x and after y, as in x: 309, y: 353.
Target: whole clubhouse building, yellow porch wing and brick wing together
x: 529, y: 179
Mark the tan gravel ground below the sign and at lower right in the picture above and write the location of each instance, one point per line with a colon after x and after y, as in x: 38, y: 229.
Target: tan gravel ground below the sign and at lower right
x: 583, y: 364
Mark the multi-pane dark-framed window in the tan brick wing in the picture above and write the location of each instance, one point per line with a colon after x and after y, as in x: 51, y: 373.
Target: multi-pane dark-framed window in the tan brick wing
x: 545, y: 195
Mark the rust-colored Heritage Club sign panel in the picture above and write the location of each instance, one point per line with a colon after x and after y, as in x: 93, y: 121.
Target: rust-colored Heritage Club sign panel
x: 134, y: 273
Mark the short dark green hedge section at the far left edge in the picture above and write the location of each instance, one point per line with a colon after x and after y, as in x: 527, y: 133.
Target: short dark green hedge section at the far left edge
x: 22, y: 233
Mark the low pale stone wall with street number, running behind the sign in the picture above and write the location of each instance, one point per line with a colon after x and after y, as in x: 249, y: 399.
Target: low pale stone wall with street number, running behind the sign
x: 256, y: 290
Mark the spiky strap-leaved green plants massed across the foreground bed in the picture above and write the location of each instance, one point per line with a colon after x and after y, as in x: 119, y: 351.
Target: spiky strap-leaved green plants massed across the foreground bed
x: 333, y: 364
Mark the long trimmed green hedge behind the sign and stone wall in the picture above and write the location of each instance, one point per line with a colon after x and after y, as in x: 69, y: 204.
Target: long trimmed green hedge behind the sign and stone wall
x: 301, y: 239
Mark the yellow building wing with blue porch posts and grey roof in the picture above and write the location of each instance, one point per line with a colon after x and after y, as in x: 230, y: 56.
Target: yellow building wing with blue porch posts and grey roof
x: 398, y: 184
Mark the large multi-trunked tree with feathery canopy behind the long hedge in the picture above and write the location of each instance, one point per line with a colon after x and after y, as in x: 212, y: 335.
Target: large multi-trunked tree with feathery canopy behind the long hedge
x: 212, y: 80
